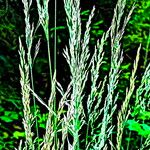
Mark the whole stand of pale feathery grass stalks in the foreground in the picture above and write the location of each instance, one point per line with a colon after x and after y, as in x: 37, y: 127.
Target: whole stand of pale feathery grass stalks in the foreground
x: 76, y: 112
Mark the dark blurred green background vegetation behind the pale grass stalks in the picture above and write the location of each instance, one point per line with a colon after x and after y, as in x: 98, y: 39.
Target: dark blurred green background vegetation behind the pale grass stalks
x: 13, y: 25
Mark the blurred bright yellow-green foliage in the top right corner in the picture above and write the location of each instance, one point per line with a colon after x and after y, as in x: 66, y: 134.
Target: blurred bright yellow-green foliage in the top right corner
x: 139, y: 25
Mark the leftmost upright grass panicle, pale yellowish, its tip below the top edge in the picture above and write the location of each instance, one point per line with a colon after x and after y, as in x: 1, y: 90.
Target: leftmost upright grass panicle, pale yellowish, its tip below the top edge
x: 25, y: 83
